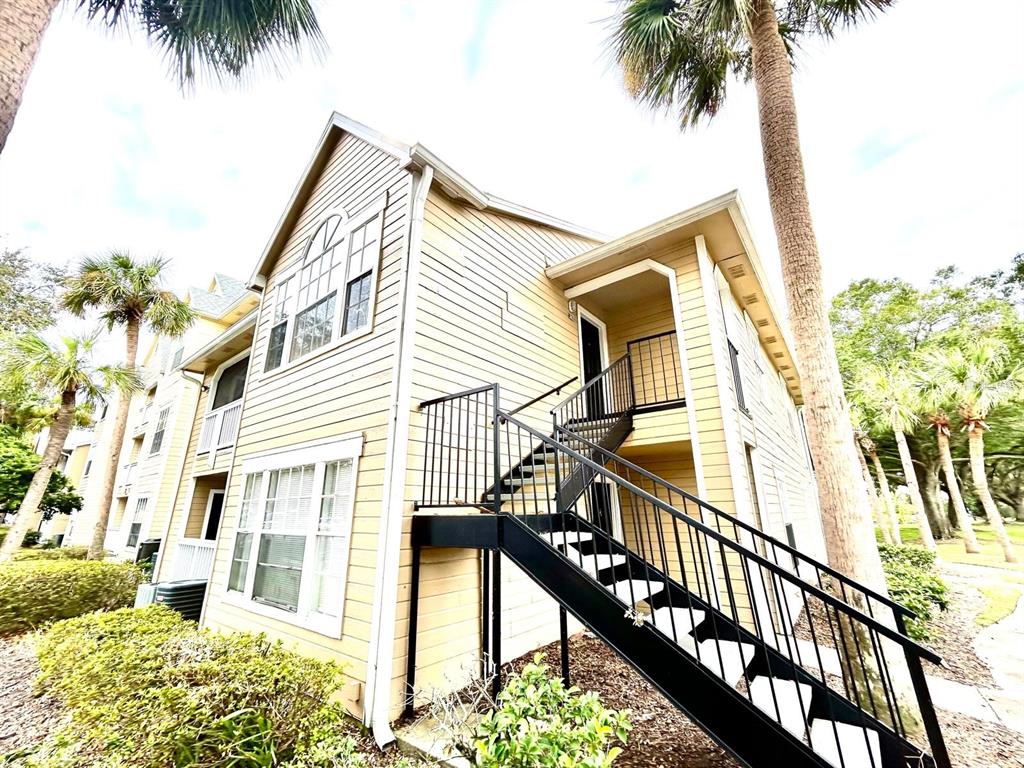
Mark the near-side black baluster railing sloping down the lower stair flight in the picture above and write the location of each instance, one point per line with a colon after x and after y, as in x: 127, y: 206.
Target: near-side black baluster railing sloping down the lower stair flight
x: 662, y: 538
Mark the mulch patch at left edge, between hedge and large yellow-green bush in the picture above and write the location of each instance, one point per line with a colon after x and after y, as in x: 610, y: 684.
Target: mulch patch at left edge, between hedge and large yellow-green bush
x: 25, y: 719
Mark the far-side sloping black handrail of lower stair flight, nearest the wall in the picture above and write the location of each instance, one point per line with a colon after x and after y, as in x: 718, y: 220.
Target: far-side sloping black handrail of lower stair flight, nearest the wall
x: 753, y: 531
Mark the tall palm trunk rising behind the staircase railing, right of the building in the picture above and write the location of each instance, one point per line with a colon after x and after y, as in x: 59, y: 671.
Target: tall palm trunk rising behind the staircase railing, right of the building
x: 846, y: 515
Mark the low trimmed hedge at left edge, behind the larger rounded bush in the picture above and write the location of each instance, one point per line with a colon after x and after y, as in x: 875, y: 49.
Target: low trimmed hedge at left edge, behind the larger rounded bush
x: 36, y: 592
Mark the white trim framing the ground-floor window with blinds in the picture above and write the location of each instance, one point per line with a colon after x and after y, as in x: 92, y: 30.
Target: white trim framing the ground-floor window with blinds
x: 319, y: 455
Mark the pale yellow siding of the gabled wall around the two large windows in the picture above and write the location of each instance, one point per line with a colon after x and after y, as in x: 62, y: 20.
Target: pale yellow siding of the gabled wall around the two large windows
x: 334, y: 393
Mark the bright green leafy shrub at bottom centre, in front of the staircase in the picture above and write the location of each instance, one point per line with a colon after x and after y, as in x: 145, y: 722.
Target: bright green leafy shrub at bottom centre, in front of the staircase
x: 539, y: 722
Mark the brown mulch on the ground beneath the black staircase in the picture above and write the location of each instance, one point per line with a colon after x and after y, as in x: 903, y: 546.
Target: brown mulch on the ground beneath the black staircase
x: 662, y: 737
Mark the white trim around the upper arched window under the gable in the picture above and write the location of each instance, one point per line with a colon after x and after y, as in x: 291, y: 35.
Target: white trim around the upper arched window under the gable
x: 338, y: 340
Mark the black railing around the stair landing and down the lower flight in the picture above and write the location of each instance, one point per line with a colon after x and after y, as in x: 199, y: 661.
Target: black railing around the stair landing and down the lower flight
x: 665, y: 542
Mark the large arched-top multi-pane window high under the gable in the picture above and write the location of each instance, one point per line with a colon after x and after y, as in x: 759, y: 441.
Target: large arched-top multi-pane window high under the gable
x: 331, y: 295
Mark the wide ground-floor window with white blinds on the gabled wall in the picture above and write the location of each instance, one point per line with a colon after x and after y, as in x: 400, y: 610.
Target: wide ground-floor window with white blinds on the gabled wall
x: 290, y: 556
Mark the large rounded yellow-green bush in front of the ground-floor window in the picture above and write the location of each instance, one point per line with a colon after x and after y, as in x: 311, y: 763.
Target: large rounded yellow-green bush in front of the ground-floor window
x: 145, y: 688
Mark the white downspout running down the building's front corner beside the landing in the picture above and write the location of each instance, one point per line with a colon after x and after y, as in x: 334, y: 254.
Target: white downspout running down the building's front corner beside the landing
x: 382, y: 630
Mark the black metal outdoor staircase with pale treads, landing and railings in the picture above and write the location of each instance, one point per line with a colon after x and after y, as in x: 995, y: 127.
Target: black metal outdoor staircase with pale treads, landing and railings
x: 703, y: 606
